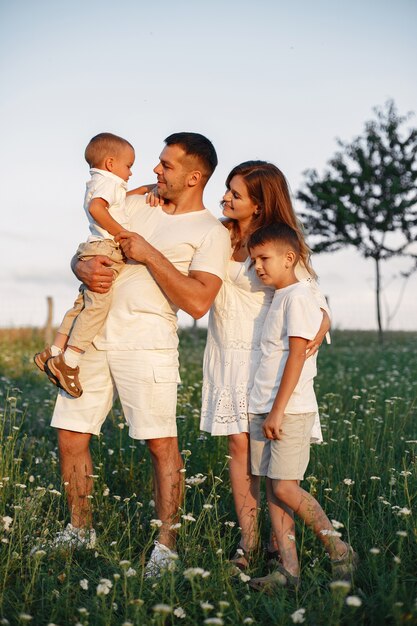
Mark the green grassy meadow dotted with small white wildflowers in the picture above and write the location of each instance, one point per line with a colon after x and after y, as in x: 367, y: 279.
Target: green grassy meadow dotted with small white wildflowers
x: 365, y: 475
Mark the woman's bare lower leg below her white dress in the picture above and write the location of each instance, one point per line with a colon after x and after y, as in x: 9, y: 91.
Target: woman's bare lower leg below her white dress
x: 245, y: 489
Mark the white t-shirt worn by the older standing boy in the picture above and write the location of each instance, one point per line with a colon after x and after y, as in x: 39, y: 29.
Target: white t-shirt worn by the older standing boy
x: 293, y: 313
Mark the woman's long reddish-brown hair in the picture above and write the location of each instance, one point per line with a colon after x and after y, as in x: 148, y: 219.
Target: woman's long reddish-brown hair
x: 268, y: 188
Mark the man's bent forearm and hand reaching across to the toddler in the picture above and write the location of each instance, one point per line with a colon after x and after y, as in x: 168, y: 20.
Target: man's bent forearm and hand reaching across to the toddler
x: 194, y: 293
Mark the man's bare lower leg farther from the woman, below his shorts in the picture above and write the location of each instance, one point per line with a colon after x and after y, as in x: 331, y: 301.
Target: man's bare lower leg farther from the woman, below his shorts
x: 76, y: 471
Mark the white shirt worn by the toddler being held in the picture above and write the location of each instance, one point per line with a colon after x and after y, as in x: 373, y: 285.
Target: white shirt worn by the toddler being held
x: 112, y: 189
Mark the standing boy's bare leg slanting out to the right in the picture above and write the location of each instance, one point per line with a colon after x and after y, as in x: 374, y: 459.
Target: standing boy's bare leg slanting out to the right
x: 310, y: 511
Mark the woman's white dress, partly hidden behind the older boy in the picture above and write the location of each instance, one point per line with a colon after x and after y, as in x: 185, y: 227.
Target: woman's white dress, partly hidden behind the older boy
x: 232, y: 353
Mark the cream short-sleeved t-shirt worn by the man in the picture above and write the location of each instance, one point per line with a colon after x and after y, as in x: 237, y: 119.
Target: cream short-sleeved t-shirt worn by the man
x: 140, y: 315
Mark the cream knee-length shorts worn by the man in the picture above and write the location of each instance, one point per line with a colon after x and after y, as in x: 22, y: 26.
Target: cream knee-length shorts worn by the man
x: 146, y: 382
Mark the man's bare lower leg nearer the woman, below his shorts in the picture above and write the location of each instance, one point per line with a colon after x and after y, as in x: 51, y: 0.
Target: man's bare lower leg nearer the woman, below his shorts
x: 168, y: 484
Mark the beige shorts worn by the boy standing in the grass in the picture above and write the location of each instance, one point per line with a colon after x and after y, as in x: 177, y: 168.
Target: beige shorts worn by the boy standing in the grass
x: 286, y: 458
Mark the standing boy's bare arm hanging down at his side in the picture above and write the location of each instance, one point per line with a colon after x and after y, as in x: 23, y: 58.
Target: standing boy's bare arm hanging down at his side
x: 289, y: 380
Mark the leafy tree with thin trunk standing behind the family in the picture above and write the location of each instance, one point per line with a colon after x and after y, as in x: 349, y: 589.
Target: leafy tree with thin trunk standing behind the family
x: 367, y: 197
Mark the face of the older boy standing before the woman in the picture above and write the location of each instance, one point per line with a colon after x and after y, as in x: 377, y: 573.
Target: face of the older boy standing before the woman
x: 274, y: 264
